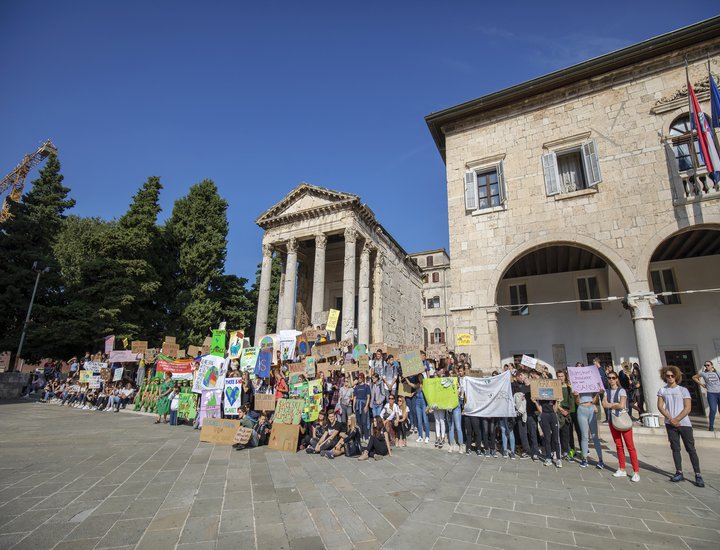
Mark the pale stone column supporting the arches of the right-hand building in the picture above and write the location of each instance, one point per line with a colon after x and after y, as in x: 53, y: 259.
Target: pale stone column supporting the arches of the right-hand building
x: 648, y: 350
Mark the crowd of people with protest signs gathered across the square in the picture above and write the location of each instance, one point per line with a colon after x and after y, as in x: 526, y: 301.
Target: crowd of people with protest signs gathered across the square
x: 368, y: 414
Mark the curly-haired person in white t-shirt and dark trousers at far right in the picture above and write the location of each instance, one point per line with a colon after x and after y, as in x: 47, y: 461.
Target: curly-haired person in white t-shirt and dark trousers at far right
x: 674, y: 403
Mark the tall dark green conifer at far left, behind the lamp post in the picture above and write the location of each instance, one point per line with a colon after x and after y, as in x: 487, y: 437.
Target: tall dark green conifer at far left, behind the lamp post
x: 26, y: 238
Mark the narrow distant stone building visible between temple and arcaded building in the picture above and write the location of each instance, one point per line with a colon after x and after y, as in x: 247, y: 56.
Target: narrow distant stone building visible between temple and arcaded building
x: 436, y: 318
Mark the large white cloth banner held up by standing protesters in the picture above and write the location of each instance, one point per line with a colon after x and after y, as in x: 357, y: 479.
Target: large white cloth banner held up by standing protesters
x: 489, y: 397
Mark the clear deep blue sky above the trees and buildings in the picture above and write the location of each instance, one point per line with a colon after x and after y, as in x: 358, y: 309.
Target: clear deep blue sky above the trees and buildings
x: 260, y: 96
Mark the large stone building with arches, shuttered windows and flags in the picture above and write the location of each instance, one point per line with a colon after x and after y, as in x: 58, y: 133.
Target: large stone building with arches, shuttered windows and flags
x: 579, y: 225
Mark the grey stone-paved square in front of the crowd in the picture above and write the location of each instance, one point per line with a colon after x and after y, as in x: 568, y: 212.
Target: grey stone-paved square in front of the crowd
x: 72, y: 479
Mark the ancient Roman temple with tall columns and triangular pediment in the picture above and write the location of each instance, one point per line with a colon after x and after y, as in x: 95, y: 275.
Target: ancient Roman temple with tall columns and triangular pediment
x: 336, y: 255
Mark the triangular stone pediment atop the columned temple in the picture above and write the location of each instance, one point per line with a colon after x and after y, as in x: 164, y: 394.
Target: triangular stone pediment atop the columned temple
x: 305, y: 200
